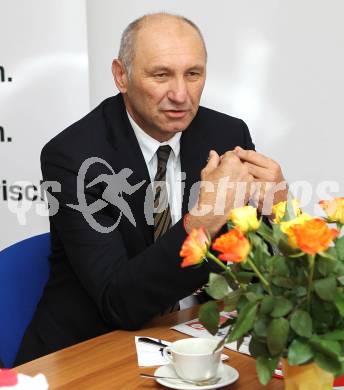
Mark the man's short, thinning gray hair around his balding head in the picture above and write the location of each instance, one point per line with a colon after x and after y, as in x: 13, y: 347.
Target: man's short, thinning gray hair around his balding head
x: 127, y: 47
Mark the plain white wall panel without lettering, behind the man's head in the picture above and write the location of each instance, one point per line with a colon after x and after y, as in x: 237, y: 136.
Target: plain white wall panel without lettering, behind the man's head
x: 276, y: 64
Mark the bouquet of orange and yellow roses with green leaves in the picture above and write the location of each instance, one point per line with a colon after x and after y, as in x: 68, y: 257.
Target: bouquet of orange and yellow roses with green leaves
x: 285, y: 281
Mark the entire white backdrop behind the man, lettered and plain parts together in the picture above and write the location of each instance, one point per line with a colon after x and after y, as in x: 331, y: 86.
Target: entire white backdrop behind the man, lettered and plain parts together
x: 278, y: 65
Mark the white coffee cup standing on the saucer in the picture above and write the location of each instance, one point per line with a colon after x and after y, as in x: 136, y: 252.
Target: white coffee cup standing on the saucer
x: 194, y: 358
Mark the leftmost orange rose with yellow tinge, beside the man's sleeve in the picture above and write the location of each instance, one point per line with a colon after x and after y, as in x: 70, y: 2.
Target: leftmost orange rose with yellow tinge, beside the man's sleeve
x: 195, y: 247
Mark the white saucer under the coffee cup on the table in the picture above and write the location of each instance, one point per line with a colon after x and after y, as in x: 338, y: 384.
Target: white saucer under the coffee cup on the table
x: 228, y: 375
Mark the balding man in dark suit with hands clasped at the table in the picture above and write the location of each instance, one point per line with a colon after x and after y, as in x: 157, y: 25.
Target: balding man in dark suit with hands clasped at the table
x: 104, y: 278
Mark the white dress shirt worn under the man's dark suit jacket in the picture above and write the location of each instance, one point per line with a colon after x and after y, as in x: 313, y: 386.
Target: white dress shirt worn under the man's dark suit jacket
x: 149, y: 147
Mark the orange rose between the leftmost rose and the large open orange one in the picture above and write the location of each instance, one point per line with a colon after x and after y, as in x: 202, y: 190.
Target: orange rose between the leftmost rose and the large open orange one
x: 233, y: 245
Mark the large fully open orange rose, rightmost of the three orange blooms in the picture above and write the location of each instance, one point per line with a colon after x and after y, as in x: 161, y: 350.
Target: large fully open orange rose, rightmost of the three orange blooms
x: 314, y: 236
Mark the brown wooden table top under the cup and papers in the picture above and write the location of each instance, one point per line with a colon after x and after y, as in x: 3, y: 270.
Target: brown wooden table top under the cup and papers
x: 109, y: 362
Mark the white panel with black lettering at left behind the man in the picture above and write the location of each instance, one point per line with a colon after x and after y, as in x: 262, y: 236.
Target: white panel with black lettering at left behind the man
x: 43, y: 51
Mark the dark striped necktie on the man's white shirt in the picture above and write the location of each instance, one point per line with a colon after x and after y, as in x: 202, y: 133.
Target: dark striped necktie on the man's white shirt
x: 162, y: 214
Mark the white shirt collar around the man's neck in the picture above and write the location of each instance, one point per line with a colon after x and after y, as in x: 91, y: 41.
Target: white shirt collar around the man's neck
x: 150, y: 145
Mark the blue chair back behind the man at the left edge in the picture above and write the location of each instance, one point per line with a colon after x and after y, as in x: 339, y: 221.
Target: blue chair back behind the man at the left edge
x: 24, y: 271
